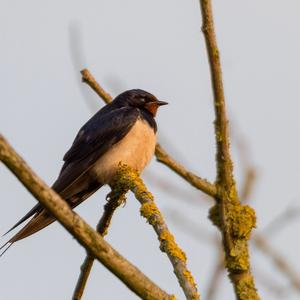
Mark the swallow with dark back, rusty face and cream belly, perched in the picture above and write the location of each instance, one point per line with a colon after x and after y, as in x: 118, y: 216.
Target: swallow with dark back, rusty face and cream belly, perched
x: 122, y: 131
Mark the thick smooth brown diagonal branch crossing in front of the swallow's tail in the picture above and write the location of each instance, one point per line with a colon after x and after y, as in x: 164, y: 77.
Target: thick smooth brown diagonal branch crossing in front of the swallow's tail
x: 80, y: 230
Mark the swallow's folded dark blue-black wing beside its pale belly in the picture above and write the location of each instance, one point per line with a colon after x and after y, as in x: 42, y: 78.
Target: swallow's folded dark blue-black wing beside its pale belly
x: 92, y: 141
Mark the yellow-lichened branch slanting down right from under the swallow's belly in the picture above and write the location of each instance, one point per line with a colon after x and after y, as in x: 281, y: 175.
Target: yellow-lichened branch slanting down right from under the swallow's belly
x: 126, y: 178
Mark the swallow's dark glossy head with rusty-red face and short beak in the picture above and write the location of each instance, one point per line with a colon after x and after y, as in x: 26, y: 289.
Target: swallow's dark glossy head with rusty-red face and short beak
x: 140, y: 99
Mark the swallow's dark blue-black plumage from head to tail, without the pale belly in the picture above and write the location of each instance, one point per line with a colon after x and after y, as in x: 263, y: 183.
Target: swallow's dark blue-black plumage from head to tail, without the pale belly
x: 76, y: 181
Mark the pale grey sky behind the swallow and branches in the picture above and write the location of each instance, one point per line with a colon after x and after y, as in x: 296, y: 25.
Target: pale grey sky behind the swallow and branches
x: 157, y: 46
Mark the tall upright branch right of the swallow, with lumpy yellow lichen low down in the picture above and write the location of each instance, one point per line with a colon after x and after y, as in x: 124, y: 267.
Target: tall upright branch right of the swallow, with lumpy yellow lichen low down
x: 234, y: 220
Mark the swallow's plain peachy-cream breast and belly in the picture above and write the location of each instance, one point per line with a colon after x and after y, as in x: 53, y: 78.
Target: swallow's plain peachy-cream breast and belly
x: 135, y: 150
